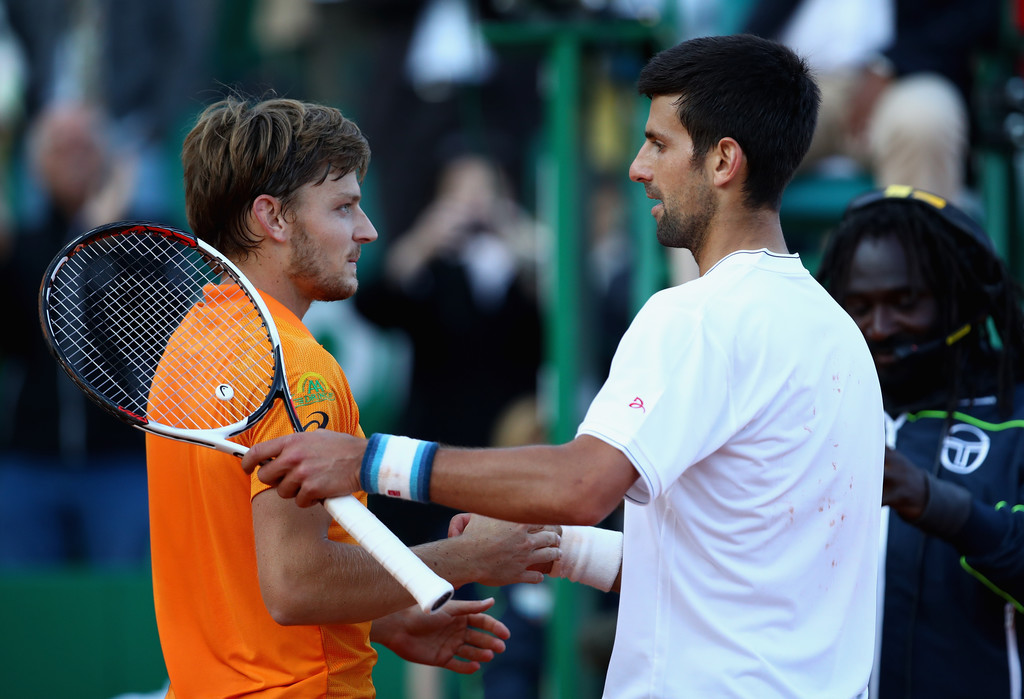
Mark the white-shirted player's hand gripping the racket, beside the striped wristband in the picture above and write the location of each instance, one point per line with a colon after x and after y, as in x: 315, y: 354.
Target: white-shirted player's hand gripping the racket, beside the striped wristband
x: 309, y: 466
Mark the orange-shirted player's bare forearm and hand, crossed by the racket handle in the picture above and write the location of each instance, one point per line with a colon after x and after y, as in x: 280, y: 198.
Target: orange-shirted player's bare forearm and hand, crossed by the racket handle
x: 307, y: 579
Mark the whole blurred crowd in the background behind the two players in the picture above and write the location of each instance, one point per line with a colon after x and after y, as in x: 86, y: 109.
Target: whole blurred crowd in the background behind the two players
x: 447, y: 338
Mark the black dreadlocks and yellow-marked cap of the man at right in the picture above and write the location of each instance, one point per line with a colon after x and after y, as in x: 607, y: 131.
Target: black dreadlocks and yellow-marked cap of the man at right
x: 950, y: 256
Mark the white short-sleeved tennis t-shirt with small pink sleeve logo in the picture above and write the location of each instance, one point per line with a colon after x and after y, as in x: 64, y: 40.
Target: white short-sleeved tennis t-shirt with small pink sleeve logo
x: 748, y: 402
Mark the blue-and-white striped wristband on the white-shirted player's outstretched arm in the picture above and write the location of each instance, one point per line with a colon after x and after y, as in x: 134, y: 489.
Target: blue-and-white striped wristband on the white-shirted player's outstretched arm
x: 399, y: 467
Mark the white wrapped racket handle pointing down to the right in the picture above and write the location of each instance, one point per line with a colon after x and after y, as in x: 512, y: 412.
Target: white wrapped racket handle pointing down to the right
x: 431, y: 591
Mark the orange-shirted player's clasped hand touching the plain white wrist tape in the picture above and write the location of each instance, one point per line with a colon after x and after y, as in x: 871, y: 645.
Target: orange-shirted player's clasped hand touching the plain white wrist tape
x: 506, y: 553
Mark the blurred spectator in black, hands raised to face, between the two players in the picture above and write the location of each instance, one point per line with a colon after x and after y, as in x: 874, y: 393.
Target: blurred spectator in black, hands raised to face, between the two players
x: 461, y: 284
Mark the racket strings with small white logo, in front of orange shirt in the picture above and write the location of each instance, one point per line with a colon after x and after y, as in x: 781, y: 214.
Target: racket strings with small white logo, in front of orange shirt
x: 162, y: 331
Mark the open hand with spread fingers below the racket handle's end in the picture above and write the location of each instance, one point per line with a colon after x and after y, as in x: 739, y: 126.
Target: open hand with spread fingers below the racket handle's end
x: 459, y: 637
